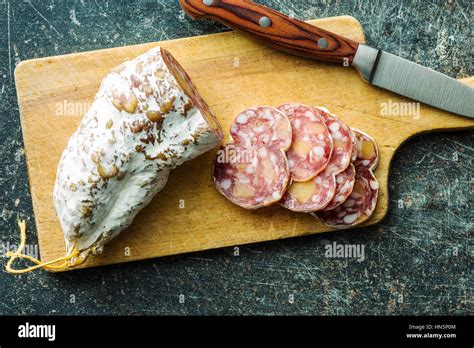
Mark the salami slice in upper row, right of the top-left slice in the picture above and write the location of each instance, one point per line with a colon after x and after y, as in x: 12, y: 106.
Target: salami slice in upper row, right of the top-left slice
x: 311, y: 145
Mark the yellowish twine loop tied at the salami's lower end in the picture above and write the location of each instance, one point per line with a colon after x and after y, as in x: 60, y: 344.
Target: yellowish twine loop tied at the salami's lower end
x: 75, y: 256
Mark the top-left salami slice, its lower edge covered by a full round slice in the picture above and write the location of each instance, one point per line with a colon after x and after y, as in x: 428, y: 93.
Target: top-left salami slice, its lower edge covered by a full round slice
x: 263, y: 125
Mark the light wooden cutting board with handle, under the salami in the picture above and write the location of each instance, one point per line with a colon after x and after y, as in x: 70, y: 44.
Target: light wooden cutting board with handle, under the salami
x: 232, y: 73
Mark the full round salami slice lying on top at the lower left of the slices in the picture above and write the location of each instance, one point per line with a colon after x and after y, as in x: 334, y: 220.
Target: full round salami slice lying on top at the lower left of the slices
x: 259, y: 180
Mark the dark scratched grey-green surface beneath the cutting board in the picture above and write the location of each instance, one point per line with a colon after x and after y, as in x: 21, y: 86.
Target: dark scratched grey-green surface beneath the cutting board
x: 417, y: 261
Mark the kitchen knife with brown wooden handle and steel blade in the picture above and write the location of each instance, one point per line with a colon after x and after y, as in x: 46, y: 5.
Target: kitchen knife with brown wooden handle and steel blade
x: 379, y: 68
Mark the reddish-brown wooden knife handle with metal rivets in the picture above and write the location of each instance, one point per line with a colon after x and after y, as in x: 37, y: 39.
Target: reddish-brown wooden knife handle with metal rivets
x: 275, y: 29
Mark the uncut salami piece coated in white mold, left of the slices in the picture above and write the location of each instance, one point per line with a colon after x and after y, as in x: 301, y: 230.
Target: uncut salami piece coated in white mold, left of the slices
x: 146, y: 119
